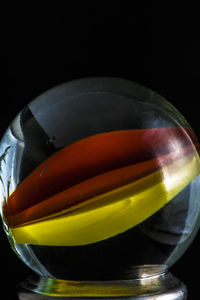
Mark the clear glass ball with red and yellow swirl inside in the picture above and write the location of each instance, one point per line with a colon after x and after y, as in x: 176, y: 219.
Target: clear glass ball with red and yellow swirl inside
x: 99, y: 176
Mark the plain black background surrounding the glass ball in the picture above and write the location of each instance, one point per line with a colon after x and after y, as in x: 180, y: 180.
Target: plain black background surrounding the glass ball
x: 154, y: 43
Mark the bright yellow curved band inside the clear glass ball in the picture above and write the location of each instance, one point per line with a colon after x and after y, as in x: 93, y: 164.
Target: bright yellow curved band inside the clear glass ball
x: 113, y: 212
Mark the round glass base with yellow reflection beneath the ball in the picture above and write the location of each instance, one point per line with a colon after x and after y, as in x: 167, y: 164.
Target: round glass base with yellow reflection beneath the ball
x: 158, y: 287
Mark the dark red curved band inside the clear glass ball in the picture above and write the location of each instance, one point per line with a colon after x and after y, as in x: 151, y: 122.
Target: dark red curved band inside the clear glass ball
x: 81, y: 168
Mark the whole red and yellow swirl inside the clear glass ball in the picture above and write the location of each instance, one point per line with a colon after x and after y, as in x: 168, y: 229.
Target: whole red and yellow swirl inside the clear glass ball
x: 101, y: 186
